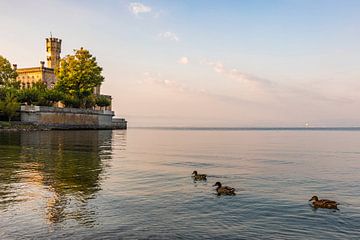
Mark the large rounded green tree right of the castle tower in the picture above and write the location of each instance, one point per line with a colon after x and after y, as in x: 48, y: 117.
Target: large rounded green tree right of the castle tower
x: 78, y: 75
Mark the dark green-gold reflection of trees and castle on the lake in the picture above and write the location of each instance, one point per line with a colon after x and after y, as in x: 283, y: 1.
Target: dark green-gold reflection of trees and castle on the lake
x: 62, y: 168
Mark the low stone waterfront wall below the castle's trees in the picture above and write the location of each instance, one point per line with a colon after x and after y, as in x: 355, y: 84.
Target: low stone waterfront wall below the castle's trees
x: 69, y: 118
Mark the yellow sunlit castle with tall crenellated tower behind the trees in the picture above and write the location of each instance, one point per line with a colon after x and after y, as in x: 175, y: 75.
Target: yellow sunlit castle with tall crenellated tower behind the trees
x: 29, y: 76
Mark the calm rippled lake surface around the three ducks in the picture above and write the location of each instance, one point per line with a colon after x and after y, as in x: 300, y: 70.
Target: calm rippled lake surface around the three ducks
x: 136, y: 184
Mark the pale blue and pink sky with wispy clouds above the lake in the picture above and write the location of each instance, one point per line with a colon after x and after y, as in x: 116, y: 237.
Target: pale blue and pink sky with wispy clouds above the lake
x: 205, y: 63
